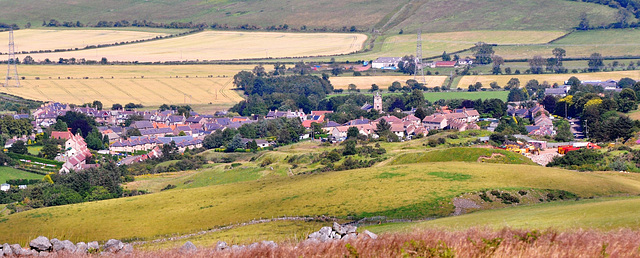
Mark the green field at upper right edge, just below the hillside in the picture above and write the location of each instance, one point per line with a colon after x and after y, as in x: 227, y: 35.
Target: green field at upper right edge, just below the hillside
x: 581, y: 44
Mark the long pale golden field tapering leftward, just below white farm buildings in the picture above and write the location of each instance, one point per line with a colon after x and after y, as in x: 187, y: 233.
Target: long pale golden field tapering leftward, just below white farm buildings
x: 222, y: 45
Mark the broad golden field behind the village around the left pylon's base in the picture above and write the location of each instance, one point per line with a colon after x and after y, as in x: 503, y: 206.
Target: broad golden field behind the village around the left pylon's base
x: 150, y: 85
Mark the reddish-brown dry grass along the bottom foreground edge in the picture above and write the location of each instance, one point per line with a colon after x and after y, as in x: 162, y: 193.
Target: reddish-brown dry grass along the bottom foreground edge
x: 434, y: 243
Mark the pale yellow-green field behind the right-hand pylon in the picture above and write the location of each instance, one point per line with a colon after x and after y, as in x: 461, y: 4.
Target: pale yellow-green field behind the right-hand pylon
x: 433, y: 44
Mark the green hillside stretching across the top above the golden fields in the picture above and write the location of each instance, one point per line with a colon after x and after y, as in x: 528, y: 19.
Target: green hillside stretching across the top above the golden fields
x: 431, y: 15
